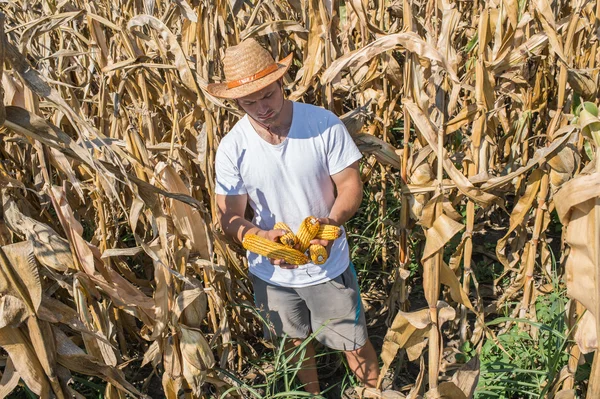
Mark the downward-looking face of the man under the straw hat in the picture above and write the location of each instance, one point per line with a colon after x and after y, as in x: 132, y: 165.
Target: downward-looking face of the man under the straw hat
x: 264, y: 106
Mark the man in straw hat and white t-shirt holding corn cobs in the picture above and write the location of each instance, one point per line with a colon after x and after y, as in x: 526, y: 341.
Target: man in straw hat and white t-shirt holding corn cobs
x: 290, y: 160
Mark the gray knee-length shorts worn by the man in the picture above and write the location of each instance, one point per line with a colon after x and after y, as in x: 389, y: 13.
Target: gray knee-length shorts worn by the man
x: 332, y: 310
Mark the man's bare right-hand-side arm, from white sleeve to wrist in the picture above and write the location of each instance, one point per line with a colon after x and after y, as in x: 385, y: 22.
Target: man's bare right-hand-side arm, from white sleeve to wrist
x: 349, y: 194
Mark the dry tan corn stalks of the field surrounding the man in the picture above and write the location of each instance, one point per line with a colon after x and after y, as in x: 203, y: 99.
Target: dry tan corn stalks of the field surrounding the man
x: 479, y: 118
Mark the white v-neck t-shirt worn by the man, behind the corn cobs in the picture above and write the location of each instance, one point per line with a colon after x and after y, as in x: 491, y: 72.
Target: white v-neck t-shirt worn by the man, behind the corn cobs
x: 288, y: 182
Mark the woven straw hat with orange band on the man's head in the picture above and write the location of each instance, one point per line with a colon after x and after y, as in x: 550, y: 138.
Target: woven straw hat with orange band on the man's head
x: 248, y: 68
